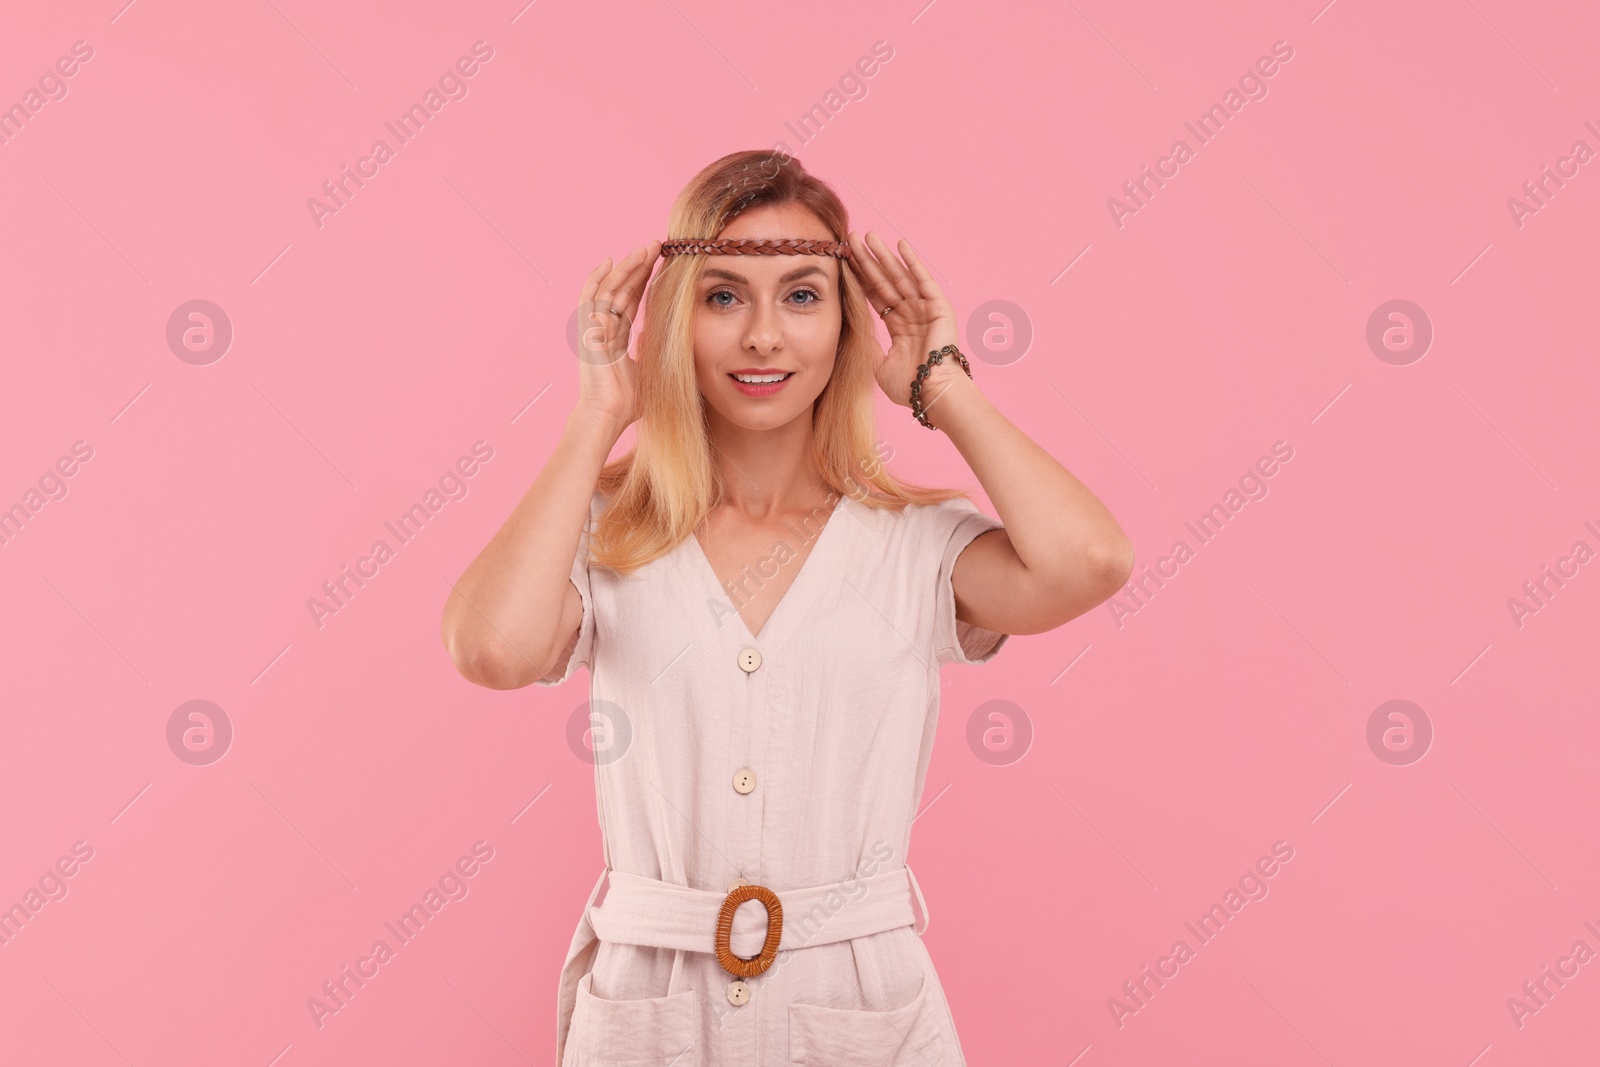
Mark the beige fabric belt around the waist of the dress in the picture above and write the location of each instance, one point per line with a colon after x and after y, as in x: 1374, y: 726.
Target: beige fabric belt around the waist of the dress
x: 639, y: 911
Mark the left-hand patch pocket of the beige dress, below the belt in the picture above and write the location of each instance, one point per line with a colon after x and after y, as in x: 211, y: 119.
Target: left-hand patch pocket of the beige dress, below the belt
x: 657, y: 1033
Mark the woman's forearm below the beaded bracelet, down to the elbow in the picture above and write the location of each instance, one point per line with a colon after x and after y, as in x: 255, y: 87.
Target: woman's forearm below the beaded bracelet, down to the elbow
x: 1057, y: 526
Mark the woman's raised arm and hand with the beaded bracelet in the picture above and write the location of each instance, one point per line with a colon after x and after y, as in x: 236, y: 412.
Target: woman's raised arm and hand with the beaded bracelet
x: 1062, y: 553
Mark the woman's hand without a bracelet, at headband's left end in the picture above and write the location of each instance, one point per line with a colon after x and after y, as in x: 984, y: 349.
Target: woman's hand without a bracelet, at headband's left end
x: 607, y: 375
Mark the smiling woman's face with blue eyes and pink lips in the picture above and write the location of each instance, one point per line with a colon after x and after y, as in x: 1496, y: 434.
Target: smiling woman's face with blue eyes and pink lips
x: 767, y: 327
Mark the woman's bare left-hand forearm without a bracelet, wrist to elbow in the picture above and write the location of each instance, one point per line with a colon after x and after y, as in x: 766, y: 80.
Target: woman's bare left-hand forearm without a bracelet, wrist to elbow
x: 505, y: 620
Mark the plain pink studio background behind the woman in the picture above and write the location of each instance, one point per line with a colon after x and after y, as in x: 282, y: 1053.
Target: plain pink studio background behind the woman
x: 1169, y: 754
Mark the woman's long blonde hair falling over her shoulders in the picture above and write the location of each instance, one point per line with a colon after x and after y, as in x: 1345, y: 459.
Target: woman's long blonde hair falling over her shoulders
x: 668, y: 484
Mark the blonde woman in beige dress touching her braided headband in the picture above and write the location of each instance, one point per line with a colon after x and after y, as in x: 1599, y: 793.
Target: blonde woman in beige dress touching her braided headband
x: 764, y: 612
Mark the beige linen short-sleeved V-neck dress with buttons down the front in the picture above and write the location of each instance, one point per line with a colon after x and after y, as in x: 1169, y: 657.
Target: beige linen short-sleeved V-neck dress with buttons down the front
x: 791, y: 759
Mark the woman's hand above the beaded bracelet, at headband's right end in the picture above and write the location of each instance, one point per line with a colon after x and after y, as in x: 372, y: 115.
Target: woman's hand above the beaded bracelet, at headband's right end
x: 922, y: 321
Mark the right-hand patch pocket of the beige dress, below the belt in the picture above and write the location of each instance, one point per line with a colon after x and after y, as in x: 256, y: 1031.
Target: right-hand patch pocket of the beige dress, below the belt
x: 847, y: 1037
